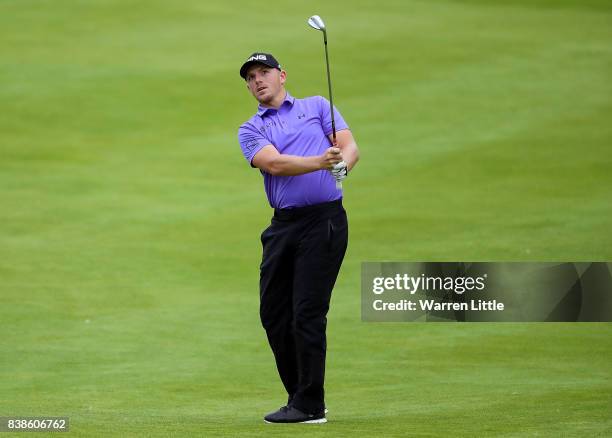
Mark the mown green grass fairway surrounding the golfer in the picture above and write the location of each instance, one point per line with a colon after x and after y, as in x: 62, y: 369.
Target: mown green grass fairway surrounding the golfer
x: 130, y: 221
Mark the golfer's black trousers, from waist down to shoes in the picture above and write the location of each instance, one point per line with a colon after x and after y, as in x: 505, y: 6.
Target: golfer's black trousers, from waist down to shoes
x: 303, y: 249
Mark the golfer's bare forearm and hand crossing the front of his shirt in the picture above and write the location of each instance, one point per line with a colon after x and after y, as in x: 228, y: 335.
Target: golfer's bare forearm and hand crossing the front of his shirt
x: 271, y: 161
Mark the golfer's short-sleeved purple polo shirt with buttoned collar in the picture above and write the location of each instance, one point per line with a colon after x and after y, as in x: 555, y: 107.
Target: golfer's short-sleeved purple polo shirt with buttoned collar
x: 298, y: 127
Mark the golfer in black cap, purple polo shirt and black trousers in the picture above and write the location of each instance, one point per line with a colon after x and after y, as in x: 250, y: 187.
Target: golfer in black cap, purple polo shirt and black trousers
x: 289, y: 140
